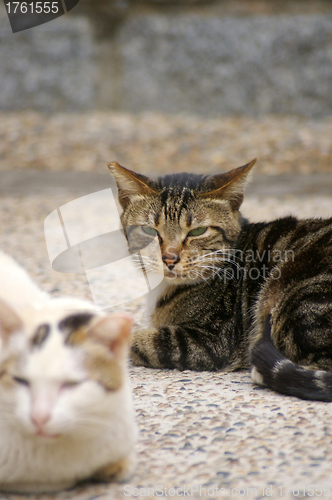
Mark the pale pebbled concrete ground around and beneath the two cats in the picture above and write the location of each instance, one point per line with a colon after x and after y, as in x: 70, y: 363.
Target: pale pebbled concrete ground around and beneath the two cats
x: 209, y: 435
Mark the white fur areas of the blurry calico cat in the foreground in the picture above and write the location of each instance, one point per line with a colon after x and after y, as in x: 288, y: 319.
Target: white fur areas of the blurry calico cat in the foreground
x: 87, y: 427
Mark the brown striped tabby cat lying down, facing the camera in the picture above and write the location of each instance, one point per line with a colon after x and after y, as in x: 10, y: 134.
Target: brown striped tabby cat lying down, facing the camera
x: 235, y: 294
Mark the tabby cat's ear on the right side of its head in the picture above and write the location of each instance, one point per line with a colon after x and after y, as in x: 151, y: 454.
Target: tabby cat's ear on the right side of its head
x: 230, y: 186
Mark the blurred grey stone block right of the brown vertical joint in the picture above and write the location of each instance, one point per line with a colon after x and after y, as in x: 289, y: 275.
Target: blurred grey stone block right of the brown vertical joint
x: 227, y: 66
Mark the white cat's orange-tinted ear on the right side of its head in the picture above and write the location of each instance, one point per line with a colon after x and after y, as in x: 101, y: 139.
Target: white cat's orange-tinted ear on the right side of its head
x: 114, y: 332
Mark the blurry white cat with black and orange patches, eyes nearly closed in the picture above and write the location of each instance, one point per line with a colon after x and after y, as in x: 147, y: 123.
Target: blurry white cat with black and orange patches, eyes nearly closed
x: 66, y: 410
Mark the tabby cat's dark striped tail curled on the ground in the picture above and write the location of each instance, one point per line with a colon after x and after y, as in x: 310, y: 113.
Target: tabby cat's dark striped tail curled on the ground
x: 271, y: 369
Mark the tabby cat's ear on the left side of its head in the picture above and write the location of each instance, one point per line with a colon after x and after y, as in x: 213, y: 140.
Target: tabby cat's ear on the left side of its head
x: 130, y: 183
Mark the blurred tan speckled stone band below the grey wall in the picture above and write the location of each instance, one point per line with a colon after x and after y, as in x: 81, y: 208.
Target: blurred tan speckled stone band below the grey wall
x: 160, y: 142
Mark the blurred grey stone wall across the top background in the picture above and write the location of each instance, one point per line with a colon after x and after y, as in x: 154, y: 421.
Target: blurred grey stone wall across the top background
x: 212, y: 58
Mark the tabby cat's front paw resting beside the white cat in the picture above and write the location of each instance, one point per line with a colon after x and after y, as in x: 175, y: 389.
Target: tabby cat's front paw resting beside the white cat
x: 143, y: 348
